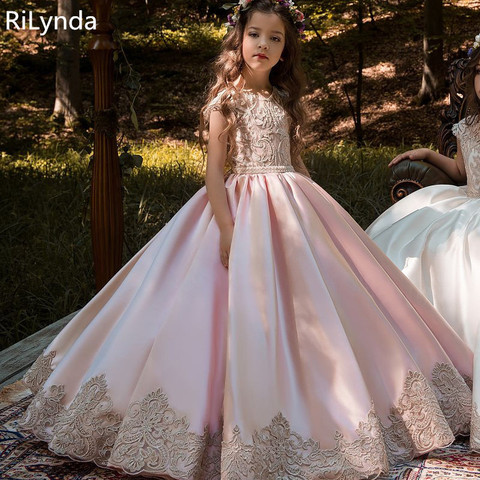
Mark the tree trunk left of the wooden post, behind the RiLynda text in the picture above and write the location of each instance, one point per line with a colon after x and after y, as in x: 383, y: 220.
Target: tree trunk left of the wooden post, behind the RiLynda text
x: 67, y: 82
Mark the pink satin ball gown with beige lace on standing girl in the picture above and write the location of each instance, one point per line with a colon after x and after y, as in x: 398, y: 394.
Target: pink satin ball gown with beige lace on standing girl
x: 311, y: 357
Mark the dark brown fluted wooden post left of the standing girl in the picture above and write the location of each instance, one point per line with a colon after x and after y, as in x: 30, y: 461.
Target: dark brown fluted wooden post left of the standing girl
x: 106, y: 197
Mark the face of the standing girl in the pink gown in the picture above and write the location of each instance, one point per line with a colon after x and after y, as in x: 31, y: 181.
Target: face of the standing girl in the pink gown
x: 263, y: 41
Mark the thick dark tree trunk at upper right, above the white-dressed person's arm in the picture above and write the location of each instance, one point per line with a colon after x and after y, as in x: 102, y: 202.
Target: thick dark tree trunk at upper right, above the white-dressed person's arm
x: 433, y: 81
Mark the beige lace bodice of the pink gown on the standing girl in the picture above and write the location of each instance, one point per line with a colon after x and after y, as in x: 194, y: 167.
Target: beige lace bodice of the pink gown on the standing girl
x: 261, y: 135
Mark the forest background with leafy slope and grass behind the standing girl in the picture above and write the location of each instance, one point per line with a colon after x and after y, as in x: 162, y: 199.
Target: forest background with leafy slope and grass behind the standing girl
x: 162, y: 74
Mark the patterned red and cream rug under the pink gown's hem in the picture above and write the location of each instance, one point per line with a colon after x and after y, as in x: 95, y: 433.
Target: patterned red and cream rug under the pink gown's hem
x: 22, y: 457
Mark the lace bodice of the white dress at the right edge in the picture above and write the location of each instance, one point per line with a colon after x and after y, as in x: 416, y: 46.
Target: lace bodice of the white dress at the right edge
x: 468, y: 137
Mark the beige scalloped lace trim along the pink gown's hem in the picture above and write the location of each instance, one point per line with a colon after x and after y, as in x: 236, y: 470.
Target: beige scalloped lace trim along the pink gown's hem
x: 153, y: 438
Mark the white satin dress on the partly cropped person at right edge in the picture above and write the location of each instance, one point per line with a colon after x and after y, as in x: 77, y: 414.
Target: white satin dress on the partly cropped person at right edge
x: 433, y: 236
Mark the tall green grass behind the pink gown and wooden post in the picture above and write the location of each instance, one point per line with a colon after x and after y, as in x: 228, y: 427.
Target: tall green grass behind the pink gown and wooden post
x: 45, y: 246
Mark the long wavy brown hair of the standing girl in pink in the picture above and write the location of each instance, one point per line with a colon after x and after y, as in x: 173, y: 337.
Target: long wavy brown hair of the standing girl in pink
x: 287, y: 76
